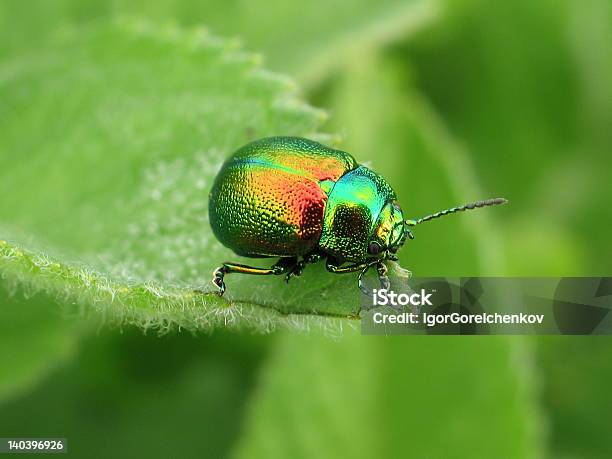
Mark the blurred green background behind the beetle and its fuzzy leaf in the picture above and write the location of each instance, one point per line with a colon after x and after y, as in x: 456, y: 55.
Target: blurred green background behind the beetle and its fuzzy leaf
x: 451, y: 101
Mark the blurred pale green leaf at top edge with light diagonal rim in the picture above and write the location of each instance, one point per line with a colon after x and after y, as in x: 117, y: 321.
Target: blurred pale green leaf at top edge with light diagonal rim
x: 311, y: 39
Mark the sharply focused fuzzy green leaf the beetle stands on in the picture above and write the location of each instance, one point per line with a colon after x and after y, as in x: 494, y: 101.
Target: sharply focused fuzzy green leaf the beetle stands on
x: 111, y: 142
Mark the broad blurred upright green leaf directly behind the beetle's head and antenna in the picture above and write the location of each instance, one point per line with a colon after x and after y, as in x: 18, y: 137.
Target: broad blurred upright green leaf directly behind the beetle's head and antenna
x: 392, y: 396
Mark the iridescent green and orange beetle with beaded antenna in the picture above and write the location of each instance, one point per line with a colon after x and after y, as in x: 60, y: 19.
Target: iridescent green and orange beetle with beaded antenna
x: 301, y: 202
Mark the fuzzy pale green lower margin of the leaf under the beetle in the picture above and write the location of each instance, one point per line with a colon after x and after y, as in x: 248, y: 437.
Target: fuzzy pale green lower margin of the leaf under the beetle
x: 149, y: 305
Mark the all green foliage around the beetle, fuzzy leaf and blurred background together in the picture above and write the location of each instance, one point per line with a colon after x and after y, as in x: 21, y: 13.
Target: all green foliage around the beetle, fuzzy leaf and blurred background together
x: 110, y: 135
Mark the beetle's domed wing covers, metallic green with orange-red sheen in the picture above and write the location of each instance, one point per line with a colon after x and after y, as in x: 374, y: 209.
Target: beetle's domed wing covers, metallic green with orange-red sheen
x: 269, y: 198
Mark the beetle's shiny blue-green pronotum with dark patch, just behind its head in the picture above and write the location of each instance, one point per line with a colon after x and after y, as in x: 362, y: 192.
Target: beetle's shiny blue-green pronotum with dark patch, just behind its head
x: 352, y: 213
